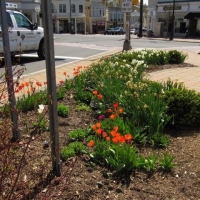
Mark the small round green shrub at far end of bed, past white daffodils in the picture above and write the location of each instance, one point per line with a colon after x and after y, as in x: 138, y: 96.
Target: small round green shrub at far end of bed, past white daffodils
x: 176, y: 57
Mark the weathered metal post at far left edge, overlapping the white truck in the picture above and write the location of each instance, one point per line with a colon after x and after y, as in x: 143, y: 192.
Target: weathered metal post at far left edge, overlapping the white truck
x: 8, y: 71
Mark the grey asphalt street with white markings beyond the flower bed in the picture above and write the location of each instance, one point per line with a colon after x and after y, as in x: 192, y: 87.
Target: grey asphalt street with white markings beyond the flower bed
x: 69, y: 48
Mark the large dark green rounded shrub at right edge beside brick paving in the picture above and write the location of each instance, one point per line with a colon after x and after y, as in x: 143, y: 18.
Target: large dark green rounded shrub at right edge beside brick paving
x: 184, y: 106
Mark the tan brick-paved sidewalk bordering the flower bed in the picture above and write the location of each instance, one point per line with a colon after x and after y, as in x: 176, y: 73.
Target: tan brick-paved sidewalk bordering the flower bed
x: 190, y: 76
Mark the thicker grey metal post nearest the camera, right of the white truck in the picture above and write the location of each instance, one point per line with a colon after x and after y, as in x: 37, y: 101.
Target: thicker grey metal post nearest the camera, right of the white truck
x: 51, y: 86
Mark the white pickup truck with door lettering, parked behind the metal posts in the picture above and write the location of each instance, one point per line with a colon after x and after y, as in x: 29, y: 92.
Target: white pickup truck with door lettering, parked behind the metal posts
x: 24, y: 36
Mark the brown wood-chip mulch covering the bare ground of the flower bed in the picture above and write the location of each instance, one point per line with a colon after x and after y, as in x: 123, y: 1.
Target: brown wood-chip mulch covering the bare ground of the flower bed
x: 82, y: 180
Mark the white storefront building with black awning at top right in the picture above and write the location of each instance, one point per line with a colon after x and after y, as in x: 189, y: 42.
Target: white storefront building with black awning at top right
x: 186, y: 14
